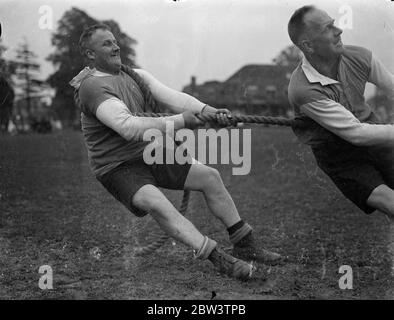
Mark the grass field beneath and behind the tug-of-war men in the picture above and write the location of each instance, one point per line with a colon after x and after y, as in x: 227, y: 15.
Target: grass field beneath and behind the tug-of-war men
x: 53, y: 212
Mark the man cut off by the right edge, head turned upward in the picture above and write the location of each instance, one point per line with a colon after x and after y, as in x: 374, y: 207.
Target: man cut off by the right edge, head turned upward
x: 327, y: 93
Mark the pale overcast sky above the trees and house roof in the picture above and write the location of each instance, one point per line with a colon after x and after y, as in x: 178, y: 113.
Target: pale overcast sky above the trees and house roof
x: 210, y: 39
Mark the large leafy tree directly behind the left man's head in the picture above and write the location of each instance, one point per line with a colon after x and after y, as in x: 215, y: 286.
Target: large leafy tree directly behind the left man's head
x: 69, y: 61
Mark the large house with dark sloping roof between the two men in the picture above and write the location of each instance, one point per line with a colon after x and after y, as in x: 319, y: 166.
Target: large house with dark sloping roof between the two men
x: 254, y: 89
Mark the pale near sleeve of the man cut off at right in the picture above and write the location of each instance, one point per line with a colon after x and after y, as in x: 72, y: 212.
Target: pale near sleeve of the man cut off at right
x: 340, y: 121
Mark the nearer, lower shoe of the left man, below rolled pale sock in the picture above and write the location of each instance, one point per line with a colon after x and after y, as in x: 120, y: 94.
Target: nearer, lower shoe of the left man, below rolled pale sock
x: 231, y: 266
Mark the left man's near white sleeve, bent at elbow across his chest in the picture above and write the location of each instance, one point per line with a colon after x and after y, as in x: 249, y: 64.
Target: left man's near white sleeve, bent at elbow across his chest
x: 114, y: 114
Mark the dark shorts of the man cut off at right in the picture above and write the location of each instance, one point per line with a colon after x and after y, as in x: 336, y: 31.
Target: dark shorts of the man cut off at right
x: 356, y: 171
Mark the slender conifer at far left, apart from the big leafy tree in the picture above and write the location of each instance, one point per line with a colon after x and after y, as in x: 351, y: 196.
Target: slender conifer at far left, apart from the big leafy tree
x: 26, y: 72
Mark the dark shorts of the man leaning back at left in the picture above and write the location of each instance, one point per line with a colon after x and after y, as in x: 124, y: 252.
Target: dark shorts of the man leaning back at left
x: 126, y: 179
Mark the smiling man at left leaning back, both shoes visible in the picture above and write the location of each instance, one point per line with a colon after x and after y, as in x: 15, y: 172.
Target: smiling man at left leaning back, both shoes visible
x: 108, y: 94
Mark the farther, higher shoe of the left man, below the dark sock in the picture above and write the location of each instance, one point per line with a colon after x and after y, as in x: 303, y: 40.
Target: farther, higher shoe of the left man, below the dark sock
x: 247, y: 249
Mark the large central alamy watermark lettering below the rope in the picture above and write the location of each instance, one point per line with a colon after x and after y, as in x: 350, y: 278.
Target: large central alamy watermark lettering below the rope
x: 202, y: 144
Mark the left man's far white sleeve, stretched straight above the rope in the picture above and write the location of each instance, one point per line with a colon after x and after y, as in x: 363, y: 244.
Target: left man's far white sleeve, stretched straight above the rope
x: 176, y: 101
